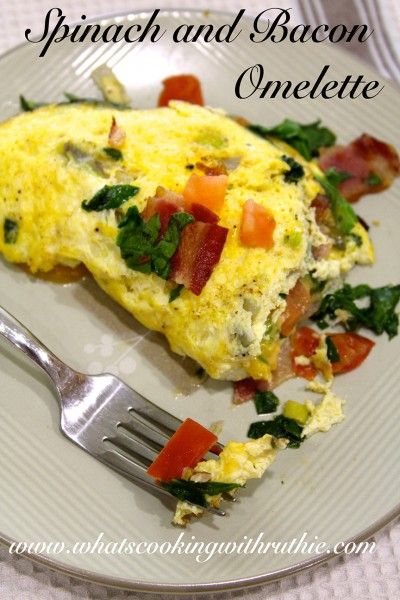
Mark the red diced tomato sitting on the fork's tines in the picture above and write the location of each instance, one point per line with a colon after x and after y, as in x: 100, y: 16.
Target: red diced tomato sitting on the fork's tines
x: 186, y: 448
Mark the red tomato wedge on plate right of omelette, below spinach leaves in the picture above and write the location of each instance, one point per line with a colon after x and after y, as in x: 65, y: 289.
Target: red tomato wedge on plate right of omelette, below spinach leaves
x: 353, y: 349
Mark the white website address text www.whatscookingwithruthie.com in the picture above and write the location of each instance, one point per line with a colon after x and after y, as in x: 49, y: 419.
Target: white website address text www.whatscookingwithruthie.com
x: 202, y: 551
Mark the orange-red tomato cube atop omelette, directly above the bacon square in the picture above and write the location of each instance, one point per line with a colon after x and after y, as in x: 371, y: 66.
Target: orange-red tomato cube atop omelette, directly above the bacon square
x: 207, y: 190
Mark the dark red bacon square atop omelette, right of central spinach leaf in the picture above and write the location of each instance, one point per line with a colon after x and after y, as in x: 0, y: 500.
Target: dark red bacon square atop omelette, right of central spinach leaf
x: 198, y: 252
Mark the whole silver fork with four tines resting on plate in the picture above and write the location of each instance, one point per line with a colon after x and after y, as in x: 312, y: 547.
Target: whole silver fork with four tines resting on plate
x: 101, y: 413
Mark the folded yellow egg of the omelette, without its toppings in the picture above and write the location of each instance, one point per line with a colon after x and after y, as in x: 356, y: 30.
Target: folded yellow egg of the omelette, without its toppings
x: 56, y: 160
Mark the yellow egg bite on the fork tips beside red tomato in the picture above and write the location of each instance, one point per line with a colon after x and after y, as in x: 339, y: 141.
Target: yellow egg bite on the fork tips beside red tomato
x: 237, y: 463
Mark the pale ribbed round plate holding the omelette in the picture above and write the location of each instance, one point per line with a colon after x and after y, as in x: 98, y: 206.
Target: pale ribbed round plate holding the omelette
x: 337, y: 486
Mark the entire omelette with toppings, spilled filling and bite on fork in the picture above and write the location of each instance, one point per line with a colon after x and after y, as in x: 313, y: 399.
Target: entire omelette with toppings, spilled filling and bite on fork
x: 222, y: 235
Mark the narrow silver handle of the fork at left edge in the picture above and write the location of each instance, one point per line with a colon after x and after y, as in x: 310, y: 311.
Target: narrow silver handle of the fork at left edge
x: 18, y: 335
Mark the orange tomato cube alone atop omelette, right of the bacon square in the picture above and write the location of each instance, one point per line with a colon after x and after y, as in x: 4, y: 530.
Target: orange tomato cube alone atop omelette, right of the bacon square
x: 257, y: 226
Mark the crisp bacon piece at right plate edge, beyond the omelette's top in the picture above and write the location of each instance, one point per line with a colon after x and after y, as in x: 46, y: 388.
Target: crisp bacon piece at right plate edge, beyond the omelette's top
x: 362, y: 158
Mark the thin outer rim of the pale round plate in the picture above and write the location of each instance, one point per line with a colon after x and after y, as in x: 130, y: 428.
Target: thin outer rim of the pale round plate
x: 228, y: 584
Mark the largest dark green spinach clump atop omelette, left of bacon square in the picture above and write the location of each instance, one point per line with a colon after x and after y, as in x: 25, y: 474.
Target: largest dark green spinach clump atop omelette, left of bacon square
x: 139, y: 241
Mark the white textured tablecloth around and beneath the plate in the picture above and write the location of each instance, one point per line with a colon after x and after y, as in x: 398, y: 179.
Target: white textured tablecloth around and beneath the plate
x: 373, y: 576
